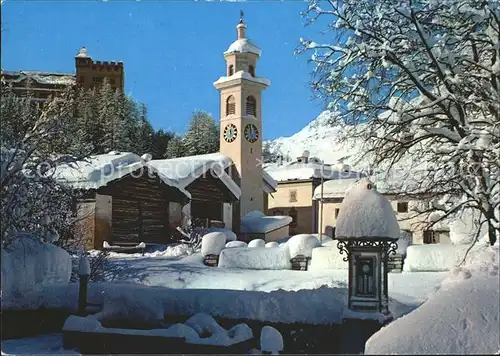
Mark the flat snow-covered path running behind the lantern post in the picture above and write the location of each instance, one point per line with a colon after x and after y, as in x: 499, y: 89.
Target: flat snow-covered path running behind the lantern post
x: 411, y: 289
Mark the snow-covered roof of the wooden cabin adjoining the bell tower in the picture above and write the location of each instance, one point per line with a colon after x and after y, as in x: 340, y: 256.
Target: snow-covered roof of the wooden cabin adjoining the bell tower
x: 185, y: 170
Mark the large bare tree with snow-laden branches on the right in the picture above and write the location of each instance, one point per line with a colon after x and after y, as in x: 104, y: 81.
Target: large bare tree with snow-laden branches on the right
x: 418, y: 82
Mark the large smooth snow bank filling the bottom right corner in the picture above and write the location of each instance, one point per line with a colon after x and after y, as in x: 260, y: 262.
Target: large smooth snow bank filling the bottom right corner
x: 461, y: 319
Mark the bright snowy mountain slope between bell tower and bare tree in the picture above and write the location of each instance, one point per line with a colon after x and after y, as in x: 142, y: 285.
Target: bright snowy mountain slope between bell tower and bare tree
x: 318, y: 137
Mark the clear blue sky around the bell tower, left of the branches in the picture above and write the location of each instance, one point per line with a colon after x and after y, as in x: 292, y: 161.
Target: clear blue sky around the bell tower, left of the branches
x: 172, y: 51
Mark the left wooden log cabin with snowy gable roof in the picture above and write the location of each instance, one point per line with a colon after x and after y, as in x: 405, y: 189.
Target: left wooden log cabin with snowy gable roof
x: 121, y: 200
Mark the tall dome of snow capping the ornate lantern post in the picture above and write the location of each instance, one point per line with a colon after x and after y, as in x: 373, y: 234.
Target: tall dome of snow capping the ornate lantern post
x: 366, y: 213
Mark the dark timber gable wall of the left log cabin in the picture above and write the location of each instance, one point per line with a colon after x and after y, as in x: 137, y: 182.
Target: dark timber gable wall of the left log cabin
x: 139, y: 209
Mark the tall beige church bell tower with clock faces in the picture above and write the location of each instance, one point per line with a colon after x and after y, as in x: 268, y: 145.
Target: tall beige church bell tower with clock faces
x: 241, y: 118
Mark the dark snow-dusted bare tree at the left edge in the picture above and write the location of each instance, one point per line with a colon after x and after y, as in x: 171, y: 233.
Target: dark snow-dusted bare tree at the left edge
x: 31, y: 200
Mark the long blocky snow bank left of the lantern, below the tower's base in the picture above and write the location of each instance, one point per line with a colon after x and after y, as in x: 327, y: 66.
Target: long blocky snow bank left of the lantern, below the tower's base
x: 255, y: 258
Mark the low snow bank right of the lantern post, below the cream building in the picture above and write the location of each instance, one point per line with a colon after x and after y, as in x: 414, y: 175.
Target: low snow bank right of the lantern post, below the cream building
x: 433, y: 257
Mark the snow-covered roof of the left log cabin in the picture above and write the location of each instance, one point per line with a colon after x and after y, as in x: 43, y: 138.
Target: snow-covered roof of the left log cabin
x: 99, y: 170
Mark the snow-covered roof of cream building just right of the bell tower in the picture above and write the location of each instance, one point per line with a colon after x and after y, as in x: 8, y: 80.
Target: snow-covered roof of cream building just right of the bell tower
x: 310, y: 170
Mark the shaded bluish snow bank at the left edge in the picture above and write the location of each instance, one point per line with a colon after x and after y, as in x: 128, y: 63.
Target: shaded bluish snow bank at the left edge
x: 28, y: 263
